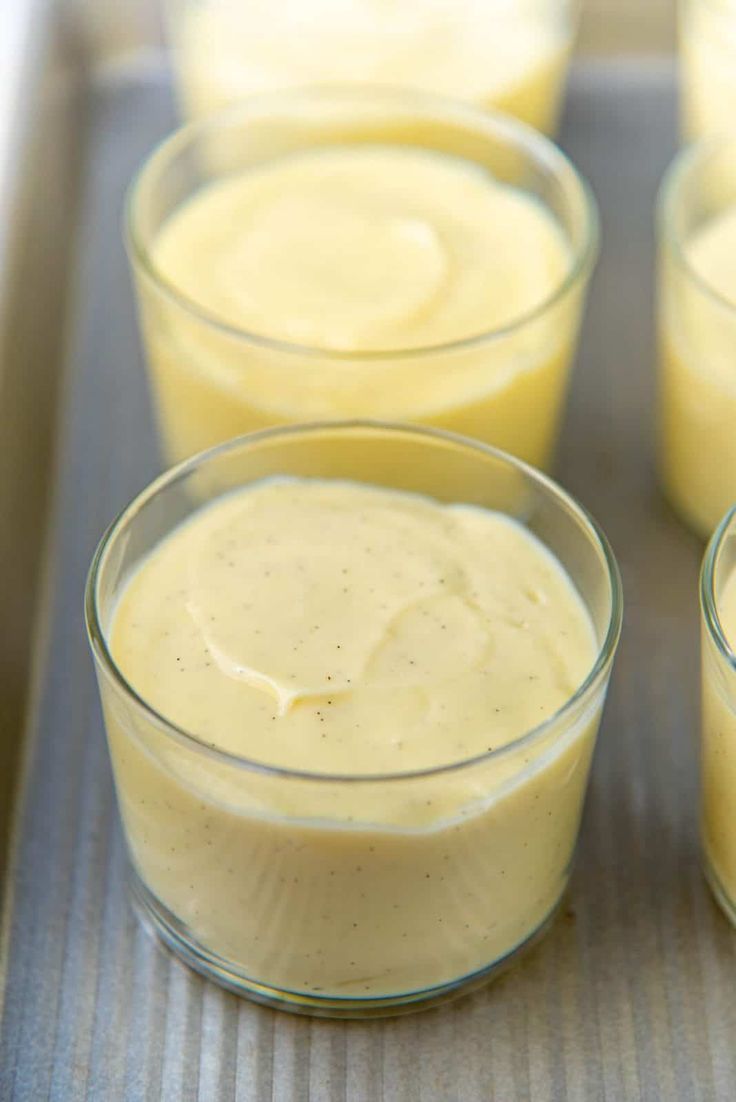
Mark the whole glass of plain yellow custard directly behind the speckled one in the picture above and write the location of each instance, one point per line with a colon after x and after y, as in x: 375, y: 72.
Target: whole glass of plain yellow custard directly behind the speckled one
x: 323, y: 255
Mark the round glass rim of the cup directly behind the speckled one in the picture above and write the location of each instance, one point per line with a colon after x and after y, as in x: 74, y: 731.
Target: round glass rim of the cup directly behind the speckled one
x: 490, y: 123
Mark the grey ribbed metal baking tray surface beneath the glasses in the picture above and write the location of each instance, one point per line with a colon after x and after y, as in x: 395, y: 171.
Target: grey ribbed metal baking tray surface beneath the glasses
x: 632, y: 995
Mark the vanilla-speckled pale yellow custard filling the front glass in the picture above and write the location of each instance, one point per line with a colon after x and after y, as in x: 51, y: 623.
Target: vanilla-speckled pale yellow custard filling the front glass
x: 342, y: 629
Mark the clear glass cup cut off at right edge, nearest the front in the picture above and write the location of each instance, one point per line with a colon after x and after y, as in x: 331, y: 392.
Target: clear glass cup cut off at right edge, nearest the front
x: 719, y: 720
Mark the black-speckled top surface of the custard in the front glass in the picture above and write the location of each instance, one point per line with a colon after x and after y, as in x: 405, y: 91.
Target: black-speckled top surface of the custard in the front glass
x: 340, y: 628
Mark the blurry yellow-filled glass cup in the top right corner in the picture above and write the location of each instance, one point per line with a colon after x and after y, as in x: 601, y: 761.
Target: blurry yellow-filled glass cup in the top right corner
x: 708, y: 67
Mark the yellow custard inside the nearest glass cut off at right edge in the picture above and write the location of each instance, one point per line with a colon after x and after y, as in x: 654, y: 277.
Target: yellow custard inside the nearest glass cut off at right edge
x: 719, y: 754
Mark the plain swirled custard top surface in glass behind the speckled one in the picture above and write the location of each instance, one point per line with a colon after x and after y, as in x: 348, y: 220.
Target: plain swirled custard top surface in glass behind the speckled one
x: 364, y: 249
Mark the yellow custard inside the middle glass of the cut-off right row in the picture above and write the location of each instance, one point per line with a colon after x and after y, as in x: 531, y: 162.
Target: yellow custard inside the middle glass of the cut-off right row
x: 698, y: 375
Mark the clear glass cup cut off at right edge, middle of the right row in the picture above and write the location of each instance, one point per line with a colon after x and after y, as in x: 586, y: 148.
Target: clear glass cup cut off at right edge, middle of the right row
x: 697, y: 341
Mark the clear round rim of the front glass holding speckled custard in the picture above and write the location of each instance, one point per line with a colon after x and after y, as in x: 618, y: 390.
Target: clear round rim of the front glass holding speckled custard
x: 98, y: 634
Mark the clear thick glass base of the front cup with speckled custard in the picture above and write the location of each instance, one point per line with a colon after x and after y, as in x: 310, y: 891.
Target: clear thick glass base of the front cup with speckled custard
x: 159, y: 921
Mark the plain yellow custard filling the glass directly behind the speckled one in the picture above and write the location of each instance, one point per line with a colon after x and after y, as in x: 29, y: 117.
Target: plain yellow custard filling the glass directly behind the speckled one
x: 328, y: 278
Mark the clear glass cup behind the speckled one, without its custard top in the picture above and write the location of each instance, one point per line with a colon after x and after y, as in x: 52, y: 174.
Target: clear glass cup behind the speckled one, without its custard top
x: 212, y: 382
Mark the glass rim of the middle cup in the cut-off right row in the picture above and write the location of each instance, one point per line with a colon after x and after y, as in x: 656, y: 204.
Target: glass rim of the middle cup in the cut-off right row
x: 687, y: 161
